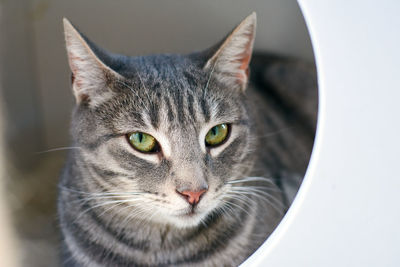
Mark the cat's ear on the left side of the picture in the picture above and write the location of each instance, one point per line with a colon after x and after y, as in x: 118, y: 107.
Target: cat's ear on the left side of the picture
x: 90, y: 75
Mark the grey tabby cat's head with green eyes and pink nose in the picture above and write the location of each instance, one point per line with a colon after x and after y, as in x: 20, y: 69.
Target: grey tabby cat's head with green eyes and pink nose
x: 165, y: 134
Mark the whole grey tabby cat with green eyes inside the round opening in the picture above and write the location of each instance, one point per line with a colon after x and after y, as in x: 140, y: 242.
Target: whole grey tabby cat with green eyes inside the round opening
x: 175, y: 156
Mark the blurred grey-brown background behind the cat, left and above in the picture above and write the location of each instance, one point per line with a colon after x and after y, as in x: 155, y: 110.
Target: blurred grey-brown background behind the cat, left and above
x: 36, y: 101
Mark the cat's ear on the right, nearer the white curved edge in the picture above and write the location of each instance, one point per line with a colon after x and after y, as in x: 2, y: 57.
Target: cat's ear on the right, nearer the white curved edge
x: 230, y: 63
